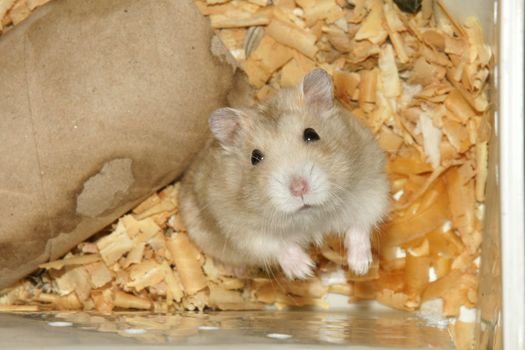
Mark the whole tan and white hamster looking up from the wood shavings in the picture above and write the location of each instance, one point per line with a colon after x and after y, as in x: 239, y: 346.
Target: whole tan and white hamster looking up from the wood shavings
x: 275, y: 178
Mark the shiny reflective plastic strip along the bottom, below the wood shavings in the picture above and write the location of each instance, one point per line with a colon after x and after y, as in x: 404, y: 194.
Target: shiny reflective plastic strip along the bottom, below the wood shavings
x: 360, y: 327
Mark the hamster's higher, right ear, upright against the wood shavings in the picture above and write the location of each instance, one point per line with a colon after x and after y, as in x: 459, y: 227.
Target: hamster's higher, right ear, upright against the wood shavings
x: 318, y: 90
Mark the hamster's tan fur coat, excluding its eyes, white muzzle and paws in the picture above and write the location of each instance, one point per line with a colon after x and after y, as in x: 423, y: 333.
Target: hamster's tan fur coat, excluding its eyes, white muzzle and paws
x: 225, y: 200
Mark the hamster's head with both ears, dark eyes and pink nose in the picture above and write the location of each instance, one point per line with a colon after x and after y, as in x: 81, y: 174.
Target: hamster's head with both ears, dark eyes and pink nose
x: 291, y: 157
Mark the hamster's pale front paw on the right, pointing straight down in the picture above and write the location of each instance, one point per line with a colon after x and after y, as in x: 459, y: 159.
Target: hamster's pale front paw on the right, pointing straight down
x: 359, y: 253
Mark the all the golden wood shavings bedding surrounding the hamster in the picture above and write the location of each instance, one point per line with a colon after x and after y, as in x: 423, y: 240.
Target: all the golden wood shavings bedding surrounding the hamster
x: 418, y: 81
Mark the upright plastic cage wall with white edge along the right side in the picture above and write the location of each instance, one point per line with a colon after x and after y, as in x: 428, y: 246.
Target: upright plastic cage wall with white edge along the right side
x: 501, y: 291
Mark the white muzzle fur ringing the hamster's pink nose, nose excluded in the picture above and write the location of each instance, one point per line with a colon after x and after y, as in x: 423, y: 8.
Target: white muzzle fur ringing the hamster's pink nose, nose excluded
x: 279, y: 187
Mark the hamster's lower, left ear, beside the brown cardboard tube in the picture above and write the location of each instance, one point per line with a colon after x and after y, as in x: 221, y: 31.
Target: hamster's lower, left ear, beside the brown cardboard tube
x: 224, y: 124
